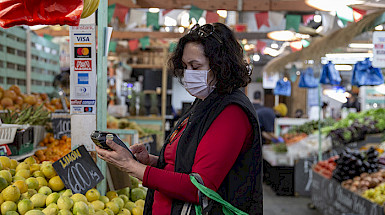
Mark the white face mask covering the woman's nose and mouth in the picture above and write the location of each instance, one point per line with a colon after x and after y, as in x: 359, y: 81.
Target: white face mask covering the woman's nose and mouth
x: 195, y: 82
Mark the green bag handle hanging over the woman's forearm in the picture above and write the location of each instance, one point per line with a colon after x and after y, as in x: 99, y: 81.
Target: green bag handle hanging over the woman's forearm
x: 227, y: 208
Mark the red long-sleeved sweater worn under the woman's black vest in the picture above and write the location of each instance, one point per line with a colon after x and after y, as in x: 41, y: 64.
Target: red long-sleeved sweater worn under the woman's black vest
x: 228, y: 135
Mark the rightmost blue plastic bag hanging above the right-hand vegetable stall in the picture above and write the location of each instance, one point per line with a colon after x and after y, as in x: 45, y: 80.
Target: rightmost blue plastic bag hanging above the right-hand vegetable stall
x: 364, y: 74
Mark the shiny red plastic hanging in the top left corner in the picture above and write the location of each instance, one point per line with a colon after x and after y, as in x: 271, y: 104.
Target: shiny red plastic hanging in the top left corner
x: 40, y: 12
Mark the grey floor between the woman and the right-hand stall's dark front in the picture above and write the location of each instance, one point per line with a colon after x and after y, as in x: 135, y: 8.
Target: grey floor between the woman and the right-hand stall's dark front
x: 285, y: 205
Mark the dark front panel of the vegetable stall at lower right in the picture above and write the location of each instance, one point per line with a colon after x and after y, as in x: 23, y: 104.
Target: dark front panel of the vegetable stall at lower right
x: 331, y: 198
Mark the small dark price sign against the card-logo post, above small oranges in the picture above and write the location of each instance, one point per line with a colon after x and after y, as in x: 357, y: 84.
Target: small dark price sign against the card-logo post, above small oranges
x: 61, y: 124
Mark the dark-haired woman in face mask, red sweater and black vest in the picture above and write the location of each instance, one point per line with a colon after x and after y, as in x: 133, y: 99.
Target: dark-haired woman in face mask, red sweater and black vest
x: 217, y: 140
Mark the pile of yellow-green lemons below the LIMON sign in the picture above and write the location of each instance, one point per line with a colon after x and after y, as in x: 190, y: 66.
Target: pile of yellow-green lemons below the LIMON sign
x: 35, y: 189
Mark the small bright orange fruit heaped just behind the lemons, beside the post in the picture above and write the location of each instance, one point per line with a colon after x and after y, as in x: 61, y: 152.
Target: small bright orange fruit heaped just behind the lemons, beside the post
x: 55, y: 148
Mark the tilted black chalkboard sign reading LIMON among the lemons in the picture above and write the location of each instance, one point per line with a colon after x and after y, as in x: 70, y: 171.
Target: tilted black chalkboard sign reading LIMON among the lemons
x: 78, y: 170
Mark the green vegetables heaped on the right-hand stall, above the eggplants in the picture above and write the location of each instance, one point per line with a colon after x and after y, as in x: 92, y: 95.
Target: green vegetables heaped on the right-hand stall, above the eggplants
x: 356, y: 125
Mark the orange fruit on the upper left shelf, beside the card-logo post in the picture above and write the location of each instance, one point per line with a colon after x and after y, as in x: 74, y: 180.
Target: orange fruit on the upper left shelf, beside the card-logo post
x: 14, y: 99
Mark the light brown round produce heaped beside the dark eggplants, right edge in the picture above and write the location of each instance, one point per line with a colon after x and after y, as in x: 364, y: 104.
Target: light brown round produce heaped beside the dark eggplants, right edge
x: 365, y: 181
